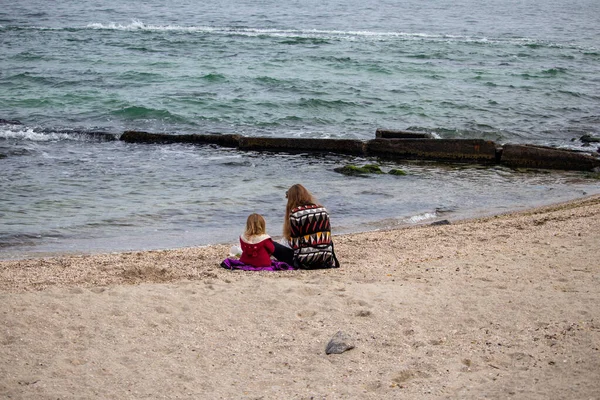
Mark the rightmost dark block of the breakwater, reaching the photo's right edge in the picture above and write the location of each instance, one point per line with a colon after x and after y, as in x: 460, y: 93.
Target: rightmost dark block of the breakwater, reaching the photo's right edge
x: 529, y: 156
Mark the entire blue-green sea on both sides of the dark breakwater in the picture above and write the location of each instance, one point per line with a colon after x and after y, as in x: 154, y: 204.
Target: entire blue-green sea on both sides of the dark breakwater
x: 75, y: 74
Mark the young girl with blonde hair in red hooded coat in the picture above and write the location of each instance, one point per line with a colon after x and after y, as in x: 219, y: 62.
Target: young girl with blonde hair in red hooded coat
x: 256, y: 245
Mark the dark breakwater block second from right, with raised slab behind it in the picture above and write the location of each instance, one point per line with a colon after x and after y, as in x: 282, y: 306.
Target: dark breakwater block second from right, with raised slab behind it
x: 461, y: 150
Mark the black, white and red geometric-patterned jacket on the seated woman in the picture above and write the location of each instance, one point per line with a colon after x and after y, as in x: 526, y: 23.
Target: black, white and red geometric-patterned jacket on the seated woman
x: 311, y: 237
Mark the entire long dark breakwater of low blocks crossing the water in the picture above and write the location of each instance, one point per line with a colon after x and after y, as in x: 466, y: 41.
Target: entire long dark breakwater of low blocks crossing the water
x: 441, y: 150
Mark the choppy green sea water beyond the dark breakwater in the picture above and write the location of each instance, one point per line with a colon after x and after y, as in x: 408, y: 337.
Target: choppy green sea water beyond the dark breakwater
x: 512, y: 71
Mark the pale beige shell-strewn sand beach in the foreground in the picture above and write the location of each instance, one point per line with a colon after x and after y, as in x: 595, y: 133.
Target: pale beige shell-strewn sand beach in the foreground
x: 501, y: 307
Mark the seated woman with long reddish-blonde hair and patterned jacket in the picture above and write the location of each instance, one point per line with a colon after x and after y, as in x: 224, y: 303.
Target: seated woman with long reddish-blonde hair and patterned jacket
x: 307, y: 229
